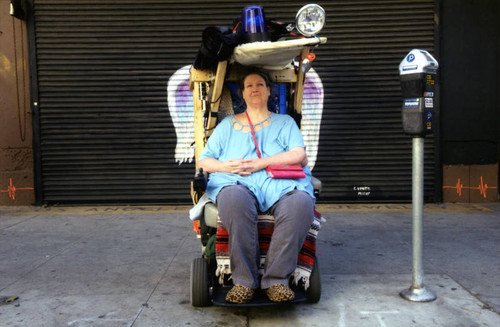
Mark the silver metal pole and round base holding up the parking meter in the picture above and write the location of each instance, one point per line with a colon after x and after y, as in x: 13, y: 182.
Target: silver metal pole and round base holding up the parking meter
x: 418, y: 292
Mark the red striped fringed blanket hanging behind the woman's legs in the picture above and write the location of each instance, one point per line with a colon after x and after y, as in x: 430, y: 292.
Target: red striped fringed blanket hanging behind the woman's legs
x: 305, y: 261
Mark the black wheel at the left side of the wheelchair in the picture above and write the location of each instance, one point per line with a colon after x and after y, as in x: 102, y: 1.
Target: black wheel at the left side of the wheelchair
x: 200, y: 292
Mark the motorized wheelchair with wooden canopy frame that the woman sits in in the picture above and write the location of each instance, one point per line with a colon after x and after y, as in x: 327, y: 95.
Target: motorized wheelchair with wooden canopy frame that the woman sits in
x: 213, y: 98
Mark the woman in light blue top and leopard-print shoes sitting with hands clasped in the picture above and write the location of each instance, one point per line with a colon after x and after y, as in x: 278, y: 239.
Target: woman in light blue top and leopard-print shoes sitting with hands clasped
x: 241, y: 187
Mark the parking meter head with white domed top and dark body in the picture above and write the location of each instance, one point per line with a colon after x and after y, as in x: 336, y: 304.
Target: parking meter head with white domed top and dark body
x: 418, y: 78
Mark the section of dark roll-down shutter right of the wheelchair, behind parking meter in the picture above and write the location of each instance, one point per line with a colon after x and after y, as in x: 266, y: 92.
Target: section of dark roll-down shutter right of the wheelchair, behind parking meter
x: 363, y: 153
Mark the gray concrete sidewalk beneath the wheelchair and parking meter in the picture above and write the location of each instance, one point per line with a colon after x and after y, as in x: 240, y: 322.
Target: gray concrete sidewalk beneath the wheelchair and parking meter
x: 129, y: 266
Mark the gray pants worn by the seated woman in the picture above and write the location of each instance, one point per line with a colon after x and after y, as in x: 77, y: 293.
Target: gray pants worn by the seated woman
x: 293, y: 216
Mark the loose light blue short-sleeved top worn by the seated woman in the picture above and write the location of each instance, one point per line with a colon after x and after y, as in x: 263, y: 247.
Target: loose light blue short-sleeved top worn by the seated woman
x: 227, y: 142
